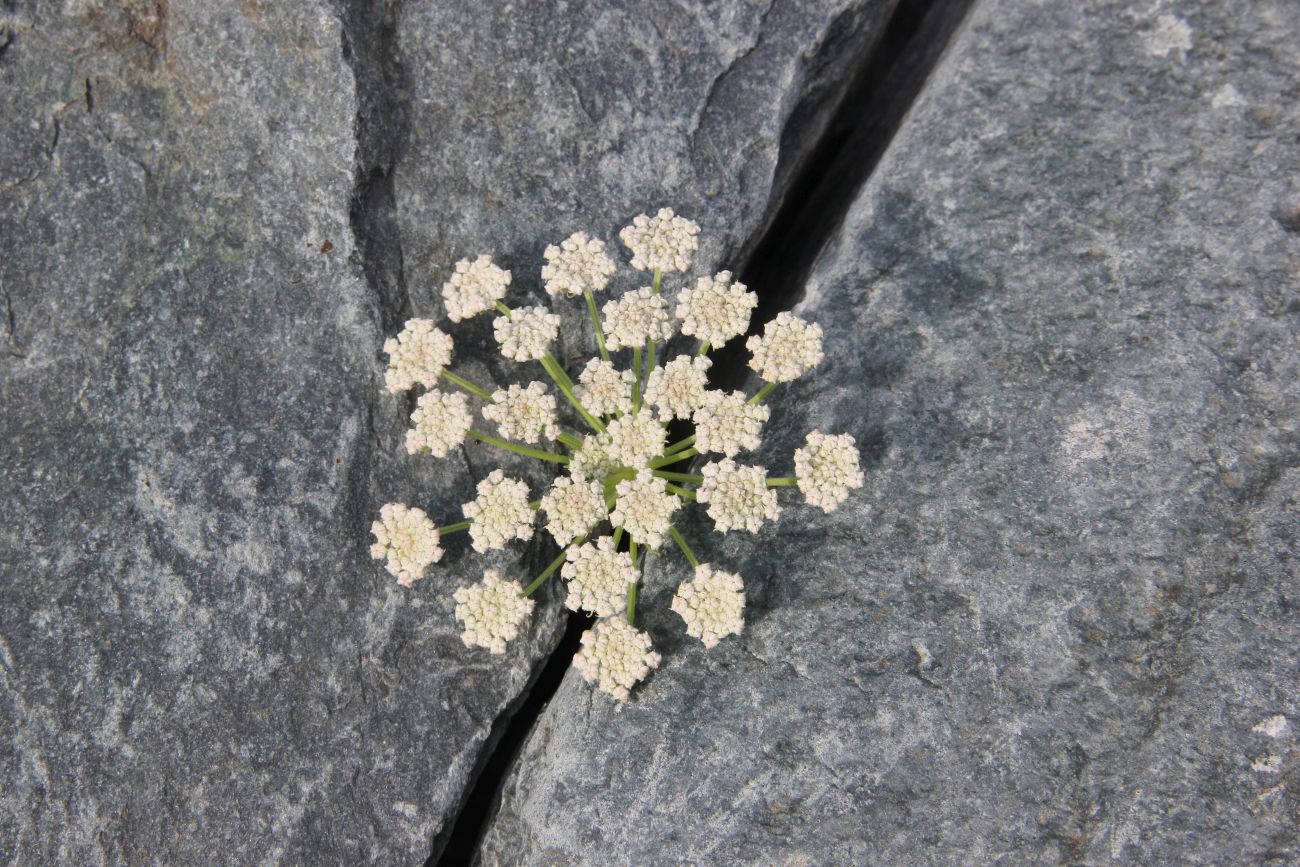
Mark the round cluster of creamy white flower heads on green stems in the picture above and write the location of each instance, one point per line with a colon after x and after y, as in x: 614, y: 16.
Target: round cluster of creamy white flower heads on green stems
x: 622, y: 487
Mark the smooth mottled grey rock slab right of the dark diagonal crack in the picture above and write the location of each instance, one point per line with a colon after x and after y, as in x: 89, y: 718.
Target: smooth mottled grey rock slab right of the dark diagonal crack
x: 1059, y: 625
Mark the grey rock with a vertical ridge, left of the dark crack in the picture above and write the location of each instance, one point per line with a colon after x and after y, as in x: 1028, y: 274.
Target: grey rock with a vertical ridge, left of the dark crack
x: 213, y: 214
